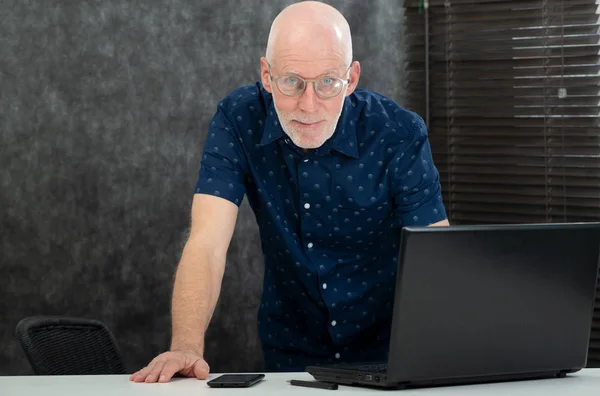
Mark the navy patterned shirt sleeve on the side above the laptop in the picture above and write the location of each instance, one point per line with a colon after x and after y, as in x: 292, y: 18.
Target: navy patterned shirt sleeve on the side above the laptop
x: 416, y: 188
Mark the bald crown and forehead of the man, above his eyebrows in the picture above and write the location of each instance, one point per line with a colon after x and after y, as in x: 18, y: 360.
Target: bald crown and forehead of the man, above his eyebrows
x: 311, y: 28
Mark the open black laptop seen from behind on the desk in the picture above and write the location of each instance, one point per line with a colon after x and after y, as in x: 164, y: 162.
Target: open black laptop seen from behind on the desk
x: 485, y: 303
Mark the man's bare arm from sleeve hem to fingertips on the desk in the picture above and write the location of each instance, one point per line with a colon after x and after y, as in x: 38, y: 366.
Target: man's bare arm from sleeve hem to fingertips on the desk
x: 196, y: 290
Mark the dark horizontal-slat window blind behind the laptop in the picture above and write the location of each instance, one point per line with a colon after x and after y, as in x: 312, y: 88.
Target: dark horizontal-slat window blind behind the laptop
x: 510, y: 91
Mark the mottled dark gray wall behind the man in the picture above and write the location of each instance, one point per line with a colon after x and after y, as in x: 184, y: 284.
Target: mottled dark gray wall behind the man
x: 103, y: 113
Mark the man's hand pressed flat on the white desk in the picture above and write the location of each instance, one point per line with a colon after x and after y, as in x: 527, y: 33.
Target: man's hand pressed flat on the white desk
x: 164, y: 366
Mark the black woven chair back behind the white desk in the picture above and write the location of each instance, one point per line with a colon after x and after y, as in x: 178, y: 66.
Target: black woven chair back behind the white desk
x: 69, y: 346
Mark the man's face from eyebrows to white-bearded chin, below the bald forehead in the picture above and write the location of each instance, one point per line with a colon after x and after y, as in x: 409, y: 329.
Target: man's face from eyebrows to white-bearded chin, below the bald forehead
x: 308, y: 119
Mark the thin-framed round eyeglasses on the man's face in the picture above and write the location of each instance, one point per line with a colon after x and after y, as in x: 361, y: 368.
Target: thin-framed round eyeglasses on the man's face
x: 326, y: 87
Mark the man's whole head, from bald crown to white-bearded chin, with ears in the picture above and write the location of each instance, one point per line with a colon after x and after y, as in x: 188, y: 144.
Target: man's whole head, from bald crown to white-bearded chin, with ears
x: 309, y: 40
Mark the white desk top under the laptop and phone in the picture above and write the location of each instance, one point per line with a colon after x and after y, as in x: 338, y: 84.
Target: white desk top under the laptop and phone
x: 585, y: 382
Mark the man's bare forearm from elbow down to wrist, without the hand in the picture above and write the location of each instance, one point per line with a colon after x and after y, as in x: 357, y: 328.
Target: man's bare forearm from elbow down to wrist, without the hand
x: 196, y: 291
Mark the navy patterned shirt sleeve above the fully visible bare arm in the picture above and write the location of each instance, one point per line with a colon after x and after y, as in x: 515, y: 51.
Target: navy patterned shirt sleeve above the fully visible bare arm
x: 223, y: 167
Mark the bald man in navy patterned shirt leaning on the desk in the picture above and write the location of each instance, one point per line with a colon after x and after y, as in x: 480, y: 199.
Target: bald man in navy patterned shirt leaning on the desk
x: 332, y: 173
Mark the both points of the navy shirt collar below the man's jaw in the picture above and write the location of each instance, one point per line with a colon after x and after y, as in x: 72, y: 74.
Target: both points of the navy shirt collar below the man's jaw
x: 343, y: 139
